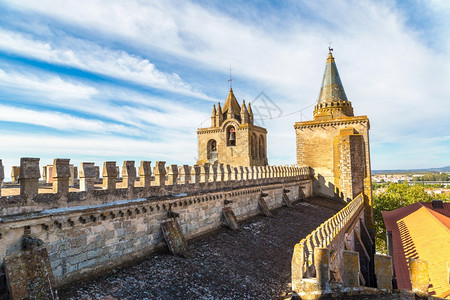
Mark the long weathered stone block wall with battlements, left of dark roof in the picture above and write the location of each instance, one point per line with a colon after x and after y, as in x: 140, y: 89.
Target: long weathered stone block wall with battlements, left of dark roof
x: 93, y: 231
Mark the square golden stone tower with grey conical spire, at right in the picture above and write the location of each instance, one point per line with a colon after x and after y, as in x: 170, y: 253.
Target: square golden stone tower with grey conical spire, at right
x: 336, y: 143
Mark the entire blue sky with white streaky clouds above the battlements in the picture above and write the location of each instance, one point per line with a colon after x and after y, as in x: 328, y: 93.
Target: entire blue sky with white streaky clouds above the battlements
x: 116, y: 80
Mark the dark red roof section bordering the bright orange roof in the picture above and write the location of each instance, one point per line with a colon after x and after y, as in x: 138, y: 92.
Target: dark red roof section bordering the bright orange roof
x: 398, y: 256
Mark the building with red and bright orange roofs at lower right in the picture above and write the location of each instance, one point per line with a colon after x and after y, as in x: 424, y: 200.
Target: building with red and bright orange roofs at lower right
x: 420, y: 231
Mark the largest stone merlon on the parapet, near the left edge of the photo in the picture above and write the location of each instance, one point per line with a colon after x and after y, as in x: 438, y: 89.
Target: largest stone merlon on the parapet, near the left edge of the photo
x: 29, y: 177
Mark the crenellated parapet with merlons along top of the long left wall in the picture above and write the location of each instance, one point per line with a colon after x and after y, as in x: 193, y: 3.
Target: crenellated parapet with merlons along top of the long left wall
x: 162, y: 182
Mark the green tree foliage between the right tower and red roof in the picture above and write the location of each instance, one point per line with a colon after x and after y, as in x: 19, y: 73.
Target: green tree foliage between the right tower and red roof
x: 396, y: 195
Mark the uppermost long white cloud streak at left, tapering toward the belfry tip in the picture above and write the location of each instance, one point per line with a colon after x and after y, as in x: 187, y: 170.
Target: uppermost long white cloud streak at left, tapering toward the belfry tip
x: 91, y: 57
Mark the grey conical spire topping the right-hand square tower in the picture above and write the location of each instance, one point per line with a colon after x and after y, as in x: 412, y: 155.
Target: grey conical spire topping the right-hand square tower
x: 332, y: 95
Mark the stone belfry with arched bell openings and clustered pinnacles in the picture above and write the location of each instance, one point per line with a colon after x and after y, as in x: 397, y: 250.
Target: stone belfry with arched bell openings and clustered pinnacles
x: 232, y: 138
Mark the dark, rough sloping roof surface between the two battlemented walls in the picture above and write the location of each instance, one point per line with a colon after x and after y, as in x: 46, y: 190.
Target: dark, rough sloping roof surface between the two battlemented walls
x: 253, y: 263
